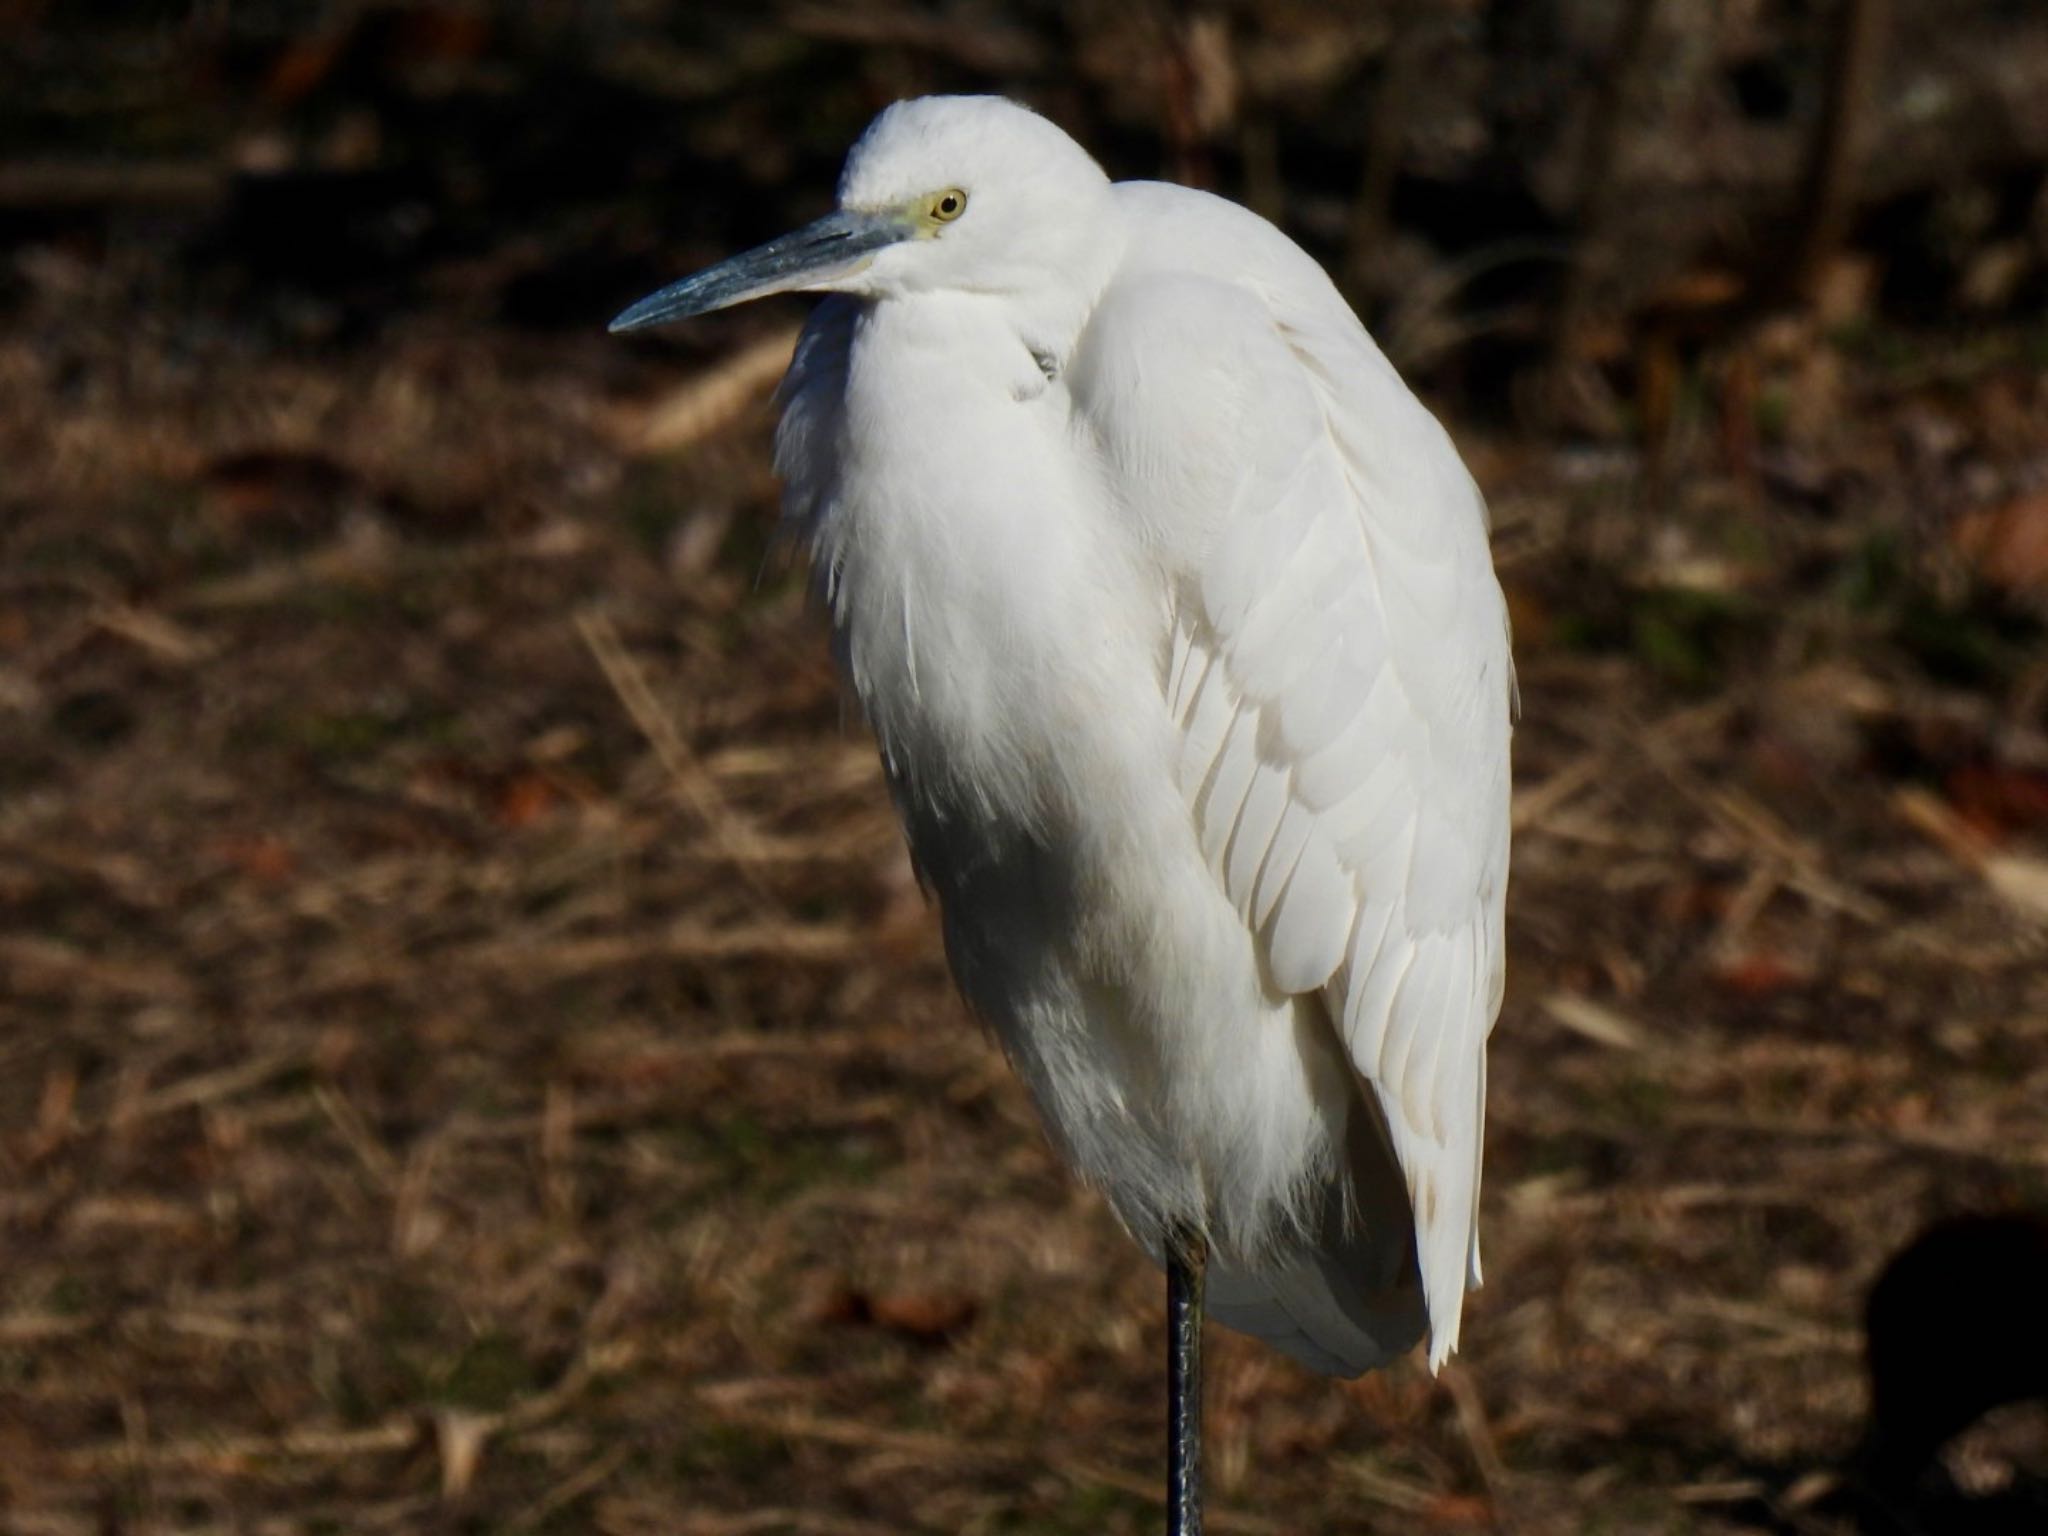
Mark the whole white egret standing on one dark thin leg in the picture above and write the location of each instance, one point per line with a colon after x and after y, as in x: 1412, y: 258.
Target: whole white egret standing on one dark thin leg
x: 1175, y: 617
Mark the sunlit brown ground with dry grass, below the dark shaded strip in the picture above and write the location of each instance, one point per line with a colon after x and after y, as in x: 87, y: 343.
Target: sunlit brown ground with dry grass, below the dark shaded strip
x: 474, y: 1056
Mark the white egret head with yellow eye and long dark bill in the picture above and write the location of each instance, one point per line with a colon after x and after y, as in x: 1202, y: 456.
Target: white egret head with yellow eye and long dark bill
x: 966, y: 194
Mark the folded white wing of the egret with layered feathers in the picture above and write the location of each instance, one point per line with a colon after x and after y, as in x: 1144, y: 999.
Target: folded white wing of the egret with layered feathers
x: 1340, y: 679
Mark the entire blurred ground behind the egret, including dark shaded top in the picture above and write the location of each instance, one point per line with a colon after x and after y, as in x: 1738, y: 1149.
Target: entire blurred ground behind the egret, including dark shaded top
x: 472, y: 1056
